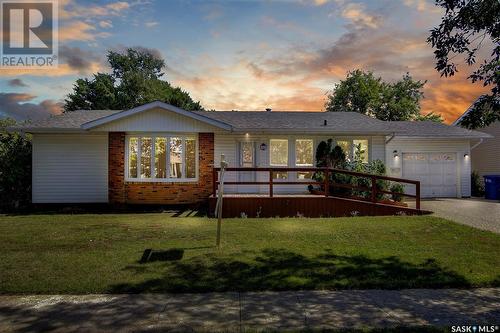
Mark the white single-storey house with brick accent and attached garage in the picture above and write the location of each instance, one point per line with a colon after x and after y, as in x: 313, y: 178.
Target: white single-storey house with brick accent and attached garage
x: 160, y: 154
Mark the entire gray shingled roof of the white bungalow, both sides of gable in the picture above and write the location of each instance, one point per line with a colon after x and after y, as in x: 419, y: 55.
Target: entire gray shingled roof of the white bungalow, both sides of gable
x: 280, y: 122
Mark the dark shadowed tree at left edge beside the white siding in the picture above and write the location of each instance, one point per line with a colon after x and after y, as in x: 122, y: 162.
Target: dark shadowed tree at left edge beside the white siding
x: 15, y: 167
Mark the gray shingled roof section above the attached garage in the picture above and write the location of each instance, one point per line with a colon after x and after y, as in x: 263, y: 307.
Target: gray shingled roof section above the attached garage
x: 432, y: 129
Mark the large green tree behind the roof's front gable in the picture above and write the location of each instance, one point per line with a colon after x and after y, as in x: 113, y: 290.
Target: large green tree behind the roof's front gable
x: 135, y: 79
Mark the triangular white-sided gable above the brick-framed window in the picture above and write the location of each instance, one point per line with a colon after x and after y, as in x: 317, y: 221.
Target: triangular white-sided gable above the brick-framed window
x: 156, y: 120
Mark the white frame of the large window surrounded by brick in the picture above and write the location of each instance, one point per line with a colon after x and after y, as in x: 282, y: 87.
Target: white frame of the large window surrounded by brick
x: 153, y: 137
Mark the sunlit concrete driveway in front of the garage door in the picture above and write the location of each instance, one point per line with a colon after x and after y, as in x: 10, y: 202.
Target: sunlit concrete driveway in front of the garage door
x: 478, y: 213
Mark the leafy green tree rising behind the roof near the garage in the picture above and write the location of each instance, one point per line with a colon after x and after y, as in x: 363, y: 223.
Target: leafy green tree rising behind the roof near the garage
x: 364, y: 93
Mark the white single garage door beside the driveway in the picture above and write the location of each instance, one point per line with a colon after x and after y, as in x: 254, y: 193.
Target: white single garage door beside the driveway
x: 437, y: 173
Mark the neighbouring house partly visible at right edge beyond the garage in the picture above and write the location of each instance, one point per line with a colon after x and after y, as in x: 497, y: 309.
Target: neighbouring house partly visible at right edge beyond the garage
x: 486, y: 155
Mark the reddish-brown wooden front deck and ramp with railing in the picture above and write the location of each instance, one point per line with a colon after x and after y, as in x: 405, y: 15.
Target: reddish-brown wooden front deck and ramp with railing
x: 325, y: 201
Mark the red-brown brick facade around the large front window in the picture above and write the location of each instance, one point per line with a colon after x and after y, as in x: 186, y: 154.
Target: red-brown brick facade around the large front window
x: 121, y: 191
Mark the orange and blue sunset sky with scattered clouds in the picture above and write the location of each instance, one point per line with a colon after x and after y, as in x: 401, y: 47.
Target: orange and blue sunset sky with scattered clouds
x: 246, y: 55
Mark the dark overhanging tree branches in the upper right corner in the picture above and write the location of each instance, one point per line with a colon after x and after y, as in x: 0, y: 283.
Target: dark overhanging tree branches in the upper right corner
x: 463, y: 30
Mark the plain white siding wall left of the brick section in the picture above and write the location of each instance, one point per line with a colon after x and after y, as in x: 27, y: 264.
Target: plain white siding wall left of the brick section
x: 70, y: 168
